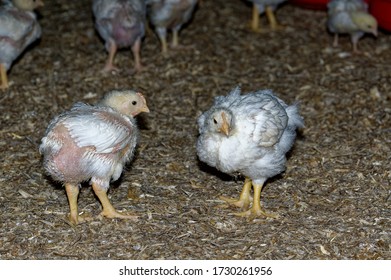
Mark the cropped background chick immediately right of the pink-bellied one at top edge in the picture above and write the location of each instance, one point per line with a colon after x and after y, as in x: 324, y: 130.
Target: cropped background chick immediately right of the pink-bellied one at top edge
x: 169, y: 14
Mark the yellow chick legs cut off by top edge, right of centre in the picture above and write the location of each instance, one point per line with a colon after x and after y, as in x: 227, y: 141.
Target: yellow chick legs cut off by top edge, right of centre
x: 267, y: 6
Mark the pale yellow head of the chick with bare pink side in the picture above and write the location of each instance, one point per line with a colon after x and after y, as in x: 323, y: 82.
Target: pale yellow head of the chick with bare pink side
x: 127, y: 102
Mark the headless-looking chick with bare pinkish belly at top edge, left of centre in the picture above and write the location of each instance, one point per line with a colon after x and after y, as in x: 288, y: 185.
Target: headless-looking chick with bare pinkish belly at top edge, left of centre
x: 121, y: 24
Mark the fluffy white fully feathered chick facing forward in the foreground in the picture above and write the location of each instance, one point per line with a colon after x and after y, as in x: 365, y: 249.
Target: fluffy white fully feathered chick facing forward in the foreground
x: 248, y: 134
